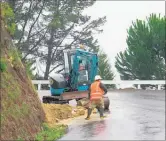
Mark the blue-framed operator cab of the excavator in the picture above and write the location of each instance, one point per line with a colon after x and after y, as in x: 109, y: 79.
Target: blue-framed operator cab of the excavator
x: 81, y: 68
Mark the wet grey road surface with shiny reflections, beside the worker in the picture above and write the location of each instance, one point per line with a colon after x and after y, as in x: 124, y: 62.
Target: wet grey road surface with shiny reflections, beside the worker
x: 135, y: 115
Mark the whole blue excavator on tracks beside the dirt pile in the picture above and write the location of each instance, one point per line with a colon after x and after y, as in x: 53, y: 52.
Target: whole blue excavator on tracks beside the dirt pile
x: 80, y: 68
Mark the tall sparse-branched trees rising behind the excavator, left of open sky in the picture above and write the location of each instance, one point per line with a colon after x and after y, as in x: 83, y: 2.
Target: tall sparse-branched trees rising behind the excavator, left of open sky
x: 46, y: 28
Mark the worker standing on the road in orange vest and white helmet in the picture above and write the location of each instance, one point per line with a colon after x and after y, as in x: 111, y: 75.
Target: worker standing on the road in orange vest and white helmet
x: 96, y: 92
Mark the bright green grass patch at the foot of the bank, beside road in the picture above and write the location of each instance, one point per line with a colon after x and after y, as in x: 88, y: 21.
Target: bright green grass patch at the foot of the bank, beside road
x: 51, y: 133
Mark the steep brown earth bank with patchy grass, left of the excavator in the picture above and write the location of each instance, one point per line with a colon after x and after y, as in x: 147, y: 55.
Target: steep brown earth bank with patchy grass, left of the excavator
x: 21, y: 111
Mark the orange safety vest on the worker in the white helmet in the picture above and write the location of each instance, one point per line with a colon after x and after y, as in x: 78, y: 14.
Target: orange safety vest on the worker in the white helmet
x: 96, y: 91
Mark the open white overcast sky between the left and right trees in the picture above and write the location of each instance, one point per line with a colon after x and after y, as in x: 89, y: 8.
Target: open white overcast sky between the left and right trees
x: 120, y: 15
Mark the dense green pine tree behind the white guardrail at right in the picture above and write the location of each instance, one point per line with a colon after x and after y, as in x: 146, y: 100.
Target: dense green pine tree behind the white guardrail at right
x: 144, y: 58
